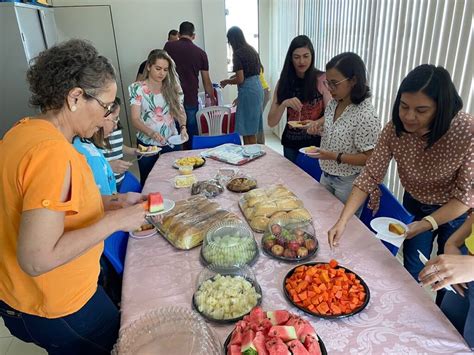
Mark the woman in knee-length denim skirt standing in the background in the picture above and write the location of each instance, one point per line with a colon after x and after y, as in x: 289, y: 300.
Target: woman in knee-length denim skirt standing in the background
x: 246, y: 61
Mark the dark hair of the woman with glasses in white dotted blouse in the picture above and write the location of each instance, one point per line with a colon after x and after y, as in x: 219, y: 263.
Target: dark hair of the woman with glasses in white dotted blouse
x: 351, y: 66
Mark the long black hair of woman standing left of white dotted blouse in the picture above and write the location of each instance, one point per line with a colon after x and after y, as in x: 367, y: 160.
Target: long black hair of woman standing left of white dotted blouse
x: 288, y: 73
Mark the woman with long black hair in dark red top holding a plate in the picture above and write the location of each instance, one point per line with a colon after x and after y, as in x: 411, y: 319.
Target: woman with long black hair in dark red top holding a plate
x: 300, y: 91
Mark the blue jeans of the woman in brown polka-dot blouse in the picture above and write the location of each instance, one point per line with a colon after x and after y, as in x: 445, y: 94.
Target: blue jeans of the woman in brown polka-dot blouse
x: 424, y: 241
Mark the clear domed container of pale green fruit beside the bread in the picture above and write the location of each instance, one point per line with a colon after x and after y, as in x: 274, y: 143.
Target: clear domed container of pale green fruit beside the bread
x: 229, y: 244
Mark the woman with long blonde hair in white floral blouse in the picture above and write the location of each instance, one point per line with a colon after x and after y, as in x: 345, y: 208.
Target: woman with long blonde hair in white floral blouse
x: 156, y: 103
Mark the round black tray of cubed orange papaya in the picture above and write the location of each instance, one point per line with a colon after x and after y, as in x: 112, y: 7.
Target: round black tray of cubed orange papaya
x: 325, y: 289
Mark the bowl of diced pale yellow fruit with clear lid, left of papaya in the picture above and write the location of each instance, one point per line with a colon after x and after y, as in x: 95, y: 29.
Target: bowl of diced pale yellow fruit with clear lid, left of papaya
x: 226, y: 295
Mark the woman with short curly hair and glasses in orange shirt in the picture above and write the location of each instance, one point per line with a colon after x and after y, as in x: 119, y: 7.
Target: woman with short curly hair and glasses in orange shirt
x: 53, y: 219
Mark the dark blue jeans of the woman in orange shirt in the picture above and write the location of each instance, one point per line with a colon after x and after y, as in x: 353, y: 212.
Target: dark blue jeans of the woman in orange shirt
x: 91, y: 330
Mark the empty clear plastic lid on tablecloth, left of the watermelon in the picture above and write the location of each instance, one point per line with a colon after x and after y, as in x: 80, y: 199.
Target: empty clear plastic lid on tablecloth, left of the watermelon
x: 170, y: 331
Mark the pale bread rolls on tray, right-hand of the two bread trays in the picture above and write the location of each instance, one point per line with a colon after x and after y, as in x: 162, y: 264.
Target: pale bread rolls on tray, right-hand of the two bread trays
x: 261, y: 205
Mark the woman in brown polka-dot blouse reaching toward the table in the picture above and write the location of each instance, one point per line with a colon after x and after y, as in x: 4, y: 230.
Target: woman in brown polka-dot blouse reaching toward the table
x: 431, y: 141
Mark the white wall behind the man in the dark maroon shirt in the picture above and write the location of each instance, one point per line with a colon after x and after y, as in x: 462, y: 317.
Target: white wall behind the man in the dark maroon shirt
x: 143, y: 25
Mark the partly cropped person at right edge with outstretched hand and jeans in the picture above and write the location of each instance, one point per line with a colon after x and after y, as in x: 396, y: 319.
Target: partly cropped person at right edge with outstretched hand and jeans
x: 456, y: 267
